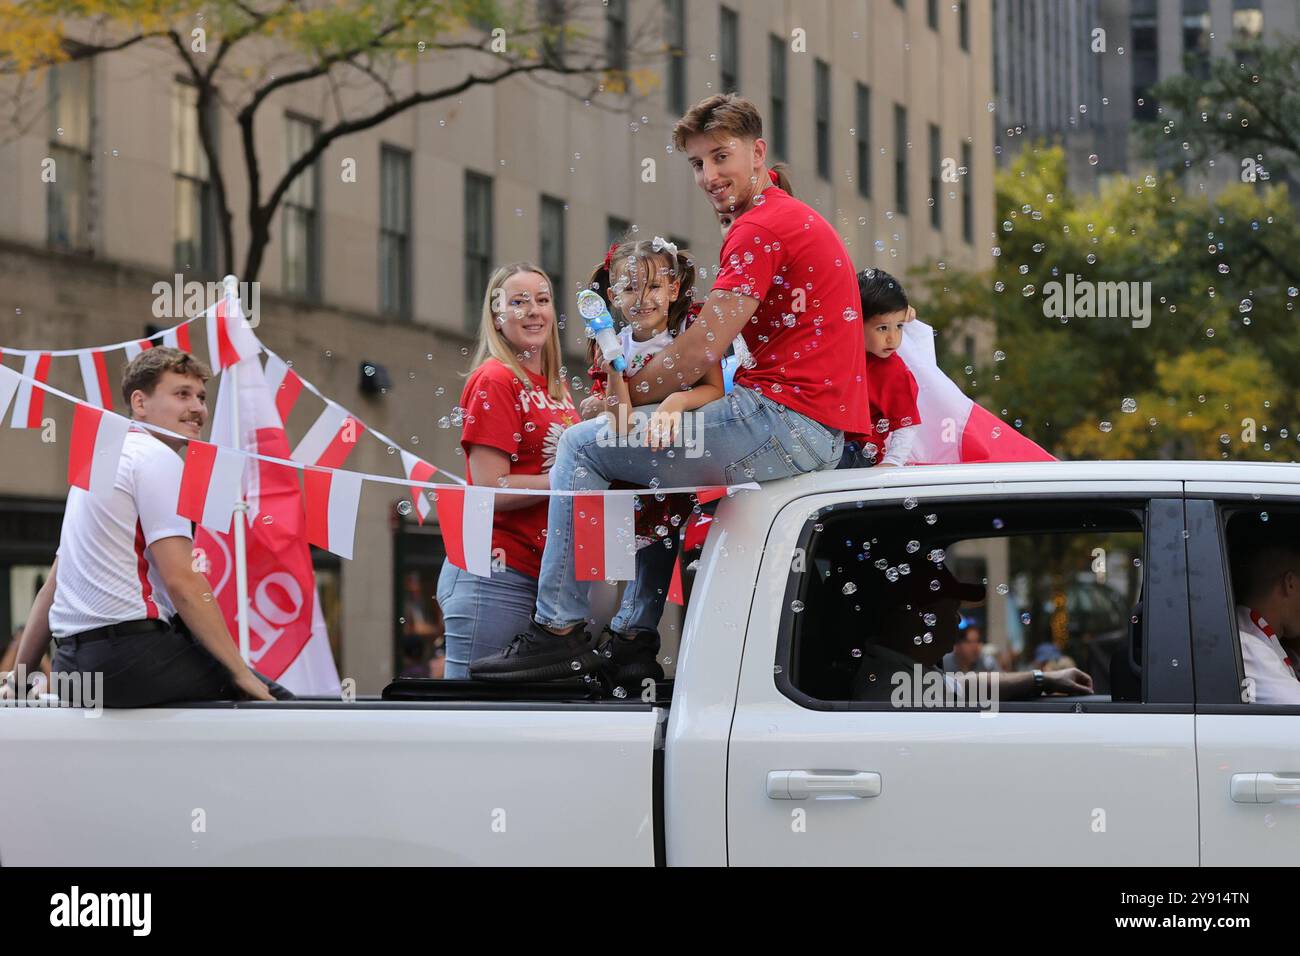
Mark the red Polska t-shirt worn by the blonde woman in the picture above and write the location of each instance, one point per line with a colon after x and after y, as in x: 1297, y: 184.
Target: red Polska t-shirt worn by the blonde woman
x: 526, y: 425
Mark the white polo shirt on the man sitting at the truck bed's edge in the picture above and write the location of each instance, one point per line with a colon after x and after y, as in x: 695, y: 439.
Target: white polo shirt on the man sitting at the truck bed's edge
x: 106, y: 570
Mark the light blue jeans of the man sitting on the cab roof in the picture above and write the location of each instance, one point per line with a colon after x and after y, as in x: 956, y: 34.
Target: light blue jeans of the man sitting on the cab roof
x: 740, y: 438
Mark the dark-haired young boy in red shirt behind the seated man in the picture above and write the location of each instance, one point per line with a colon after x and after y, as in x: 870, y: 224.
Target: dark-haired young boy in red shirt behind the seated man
x: 891, y: 387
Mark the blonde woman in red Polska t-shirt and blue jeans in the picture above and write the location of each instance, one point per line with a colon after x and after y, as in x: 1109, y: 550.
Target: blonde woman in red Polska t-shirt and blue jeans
x: 515, y: 408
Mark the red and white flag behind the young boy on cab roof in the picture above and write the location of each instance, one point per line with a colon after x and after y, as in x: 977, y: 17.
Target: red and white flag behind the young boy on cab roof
x: 952, y: 427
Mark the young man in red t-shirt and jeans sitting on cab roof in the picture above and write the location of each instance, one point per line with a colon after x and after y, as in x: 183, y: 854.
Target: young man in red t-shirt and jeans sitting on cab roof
x: 786, y: 284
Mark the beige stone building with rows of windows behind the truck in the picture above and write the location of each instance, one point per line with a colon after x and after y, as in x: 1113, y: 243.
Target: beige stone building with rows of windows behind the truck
x: 865, y: 102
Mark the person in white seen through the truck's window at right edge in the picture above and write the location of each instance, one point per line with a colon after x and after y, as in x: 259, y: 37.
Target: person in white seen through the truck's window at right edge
x: 1267, y: 587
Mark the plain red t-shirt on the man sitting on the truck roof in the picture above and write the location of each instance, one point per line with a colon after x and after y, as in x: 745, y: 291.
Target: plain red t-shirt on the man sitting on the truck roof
x: 809, y: 356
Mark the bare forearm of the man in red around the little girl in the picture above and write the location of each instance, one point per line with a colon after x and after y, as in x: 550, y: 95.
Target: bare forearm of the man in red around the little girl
x: 692, y: 353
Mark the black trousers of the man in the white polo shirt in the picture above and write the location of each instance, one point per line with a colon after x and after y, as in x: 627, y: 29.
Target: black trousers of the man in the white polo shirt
x: 144, y: 671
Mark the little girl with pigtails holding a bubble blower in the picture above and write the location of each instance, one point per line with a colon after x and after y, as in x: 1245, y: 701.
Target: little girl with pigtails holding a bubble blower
x: 649, y: 288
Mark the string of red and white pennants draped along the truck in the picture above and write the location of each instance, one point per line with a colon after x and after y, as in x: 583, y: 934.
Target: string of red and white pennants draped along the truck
x: 211, y: 482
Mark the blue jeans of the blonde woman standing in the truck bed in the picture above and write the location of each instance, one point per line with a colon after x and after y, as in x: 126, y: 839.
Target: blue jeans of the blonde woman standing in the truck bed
x: 482, y: 613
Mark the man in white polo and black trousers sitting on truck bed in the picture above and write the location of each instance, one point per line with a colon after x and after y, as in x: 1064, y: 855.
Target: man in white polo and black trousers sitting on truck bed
x: 123, y: 598
